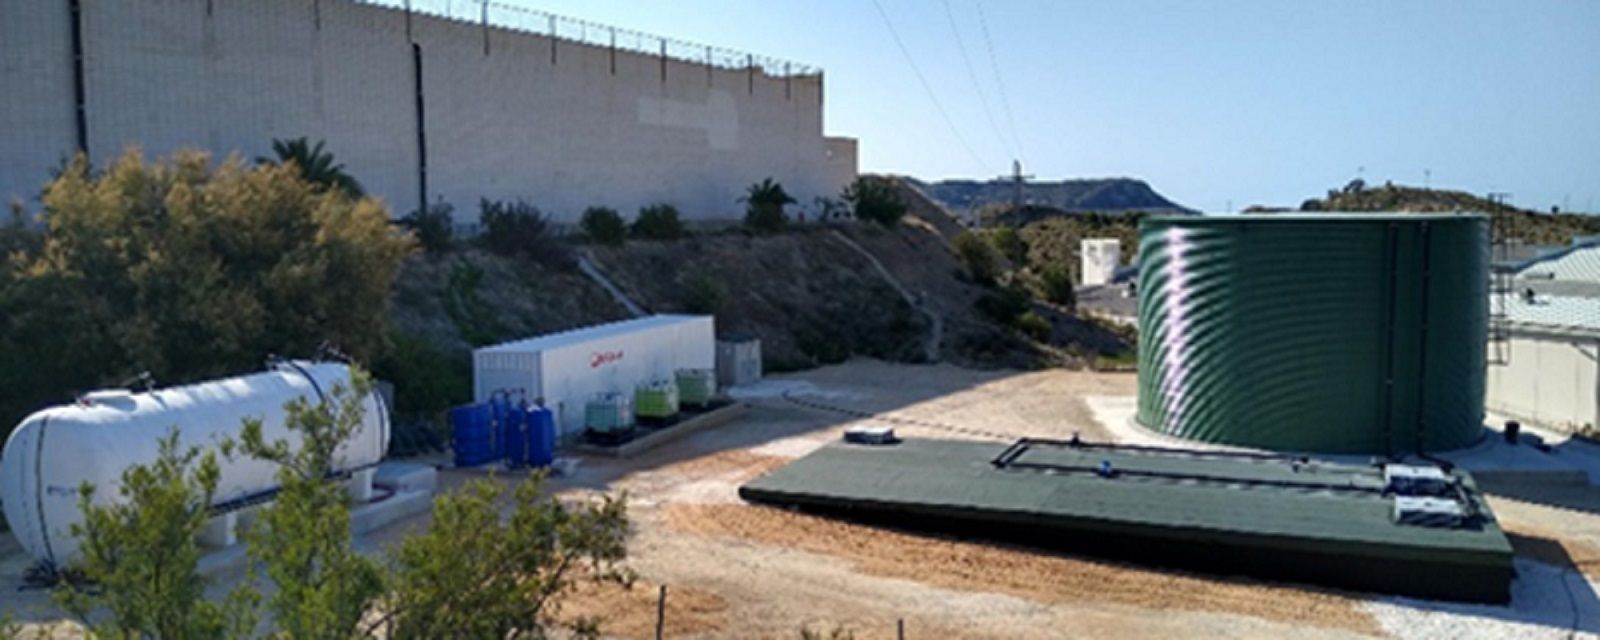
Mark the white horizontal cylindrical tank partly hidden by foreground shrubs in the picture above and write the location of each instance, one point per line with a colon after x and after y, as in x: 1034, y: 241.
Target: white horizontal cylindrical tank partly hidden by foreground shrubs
x: 54, y: 452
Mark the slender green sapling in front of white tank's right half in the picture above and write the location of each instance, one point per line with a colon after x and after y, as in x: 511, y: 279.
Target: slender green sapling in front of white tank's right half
x: 303, y: 540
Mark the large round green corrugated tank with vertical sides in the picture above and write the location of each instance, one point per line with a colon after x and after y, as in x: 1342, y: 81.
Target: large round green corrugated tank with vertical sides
x: 1321, y: 334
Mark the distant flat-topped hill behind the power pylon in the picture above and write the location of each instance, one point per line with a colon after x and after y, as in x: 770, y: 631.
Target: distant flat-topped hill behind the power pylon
x: 1100, y: 194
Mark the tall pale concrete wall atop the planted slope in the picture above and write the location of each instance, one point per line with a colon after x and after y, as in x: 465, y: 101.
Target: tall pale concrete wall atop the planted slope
x: 505, y: 116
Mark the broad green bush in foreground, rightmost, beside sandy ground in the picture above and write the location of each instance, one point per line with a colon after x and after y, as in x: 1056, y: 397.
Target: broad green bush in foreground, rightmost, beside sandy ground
x: 476, y: 577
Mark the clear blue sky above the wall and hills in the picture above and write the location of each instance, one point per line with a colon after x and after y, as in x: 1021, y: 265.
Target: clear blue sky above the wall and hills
x: 1212, y: 103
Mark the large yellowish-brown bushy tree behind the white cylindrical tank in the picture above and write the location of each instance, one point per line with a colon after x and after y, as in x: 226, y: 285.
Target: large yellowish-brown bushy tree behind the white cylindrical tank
x: 188, y: 271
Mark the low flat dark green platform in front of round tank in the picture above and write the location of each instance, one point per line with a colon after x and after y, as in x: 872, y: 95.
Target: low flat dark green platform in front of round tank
x: 1260, y: 516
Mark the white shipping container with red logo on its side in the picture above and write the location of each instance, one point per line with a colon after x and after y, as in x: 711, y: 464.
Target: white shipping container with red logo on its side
x: 569, y: 369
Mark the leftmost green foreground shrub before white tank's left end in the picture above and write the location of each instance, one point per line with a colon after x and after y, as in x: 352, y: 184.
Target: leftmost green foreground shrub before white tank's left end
x: 142, y: 554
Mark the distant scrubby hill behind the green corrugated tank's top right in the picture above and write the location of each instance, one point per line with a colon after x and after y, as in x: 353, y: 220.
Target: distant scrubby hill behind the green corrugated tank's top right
x: 1518, y: 225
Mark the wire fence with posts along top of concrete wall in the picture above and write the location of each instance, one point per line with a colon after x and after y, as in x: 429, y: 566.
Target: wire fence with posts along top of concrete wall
x: 524, y: 20
